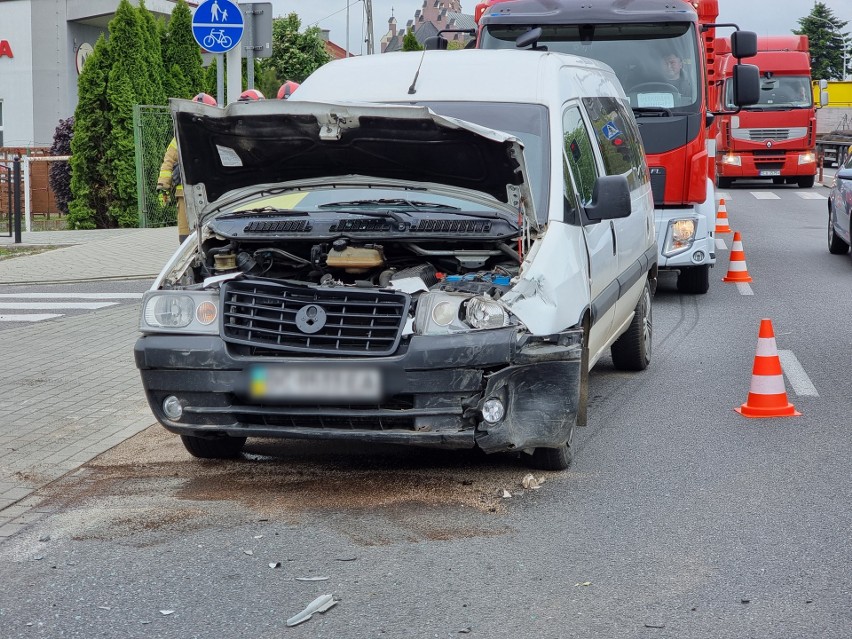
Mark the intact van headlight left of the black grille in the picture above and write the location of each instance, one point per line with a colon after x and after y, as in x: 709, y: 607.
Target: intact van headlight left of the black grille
x: 180, y: 312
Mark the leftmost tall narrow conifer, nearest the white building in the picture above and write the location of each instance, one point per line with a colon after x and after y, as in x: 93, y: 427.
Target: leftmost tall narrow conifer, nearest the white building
x: 90, y: 191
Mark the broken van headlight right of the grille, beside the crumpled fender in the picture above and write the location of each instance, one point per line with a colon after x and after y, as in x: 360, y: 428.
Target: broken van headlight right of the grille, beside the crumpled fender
x: 441, y: 313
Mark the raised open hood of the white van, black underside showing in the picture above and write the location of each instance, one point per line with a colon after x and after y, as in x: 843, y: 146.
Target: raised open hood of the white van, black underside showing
x: 290, y: 143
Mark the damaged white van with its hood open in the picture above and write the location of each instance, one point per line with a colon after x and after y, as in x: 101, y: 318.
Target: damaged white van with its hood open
x: 438, y: 265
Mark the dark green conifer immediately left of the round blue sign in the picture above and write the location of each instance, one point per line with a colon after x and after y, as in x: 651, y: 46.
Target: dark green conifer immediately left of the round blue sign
x: 182, y: 56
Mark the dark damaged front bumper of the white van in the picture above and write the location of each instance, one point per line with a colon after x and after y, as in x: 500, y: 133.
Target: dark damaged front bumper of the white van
x: 433, y: 391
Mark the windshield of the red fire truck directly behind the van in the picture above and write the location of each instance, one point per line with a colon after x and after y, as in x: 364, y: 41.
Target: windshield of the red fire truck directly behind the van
x: 657, y: 64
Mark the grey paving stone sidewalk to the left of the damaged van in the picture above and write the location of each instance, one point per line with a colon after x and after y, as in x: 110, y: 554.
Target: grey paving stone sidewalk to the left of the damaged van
x: 70, y: 387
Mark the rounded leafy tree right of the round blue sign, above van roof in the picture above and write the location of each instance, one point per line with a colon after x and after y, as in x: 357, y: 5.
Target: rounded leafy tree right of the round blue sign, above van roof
x: 295, y: 55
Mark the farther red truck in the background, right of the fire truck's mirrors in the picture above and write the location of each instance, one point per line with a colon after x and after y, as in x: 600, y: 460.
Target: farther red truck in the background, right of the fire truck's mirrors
x: 776, y: 137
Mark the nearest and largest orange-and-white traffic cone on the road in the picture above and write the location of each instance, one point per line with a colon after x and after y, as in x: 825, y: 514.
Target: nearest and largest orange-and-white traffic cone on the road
x: 767, y: 396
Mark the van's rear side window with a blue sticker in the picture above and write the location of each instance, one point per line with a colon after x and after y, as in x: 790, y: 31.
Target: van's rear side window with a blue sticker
x: 619, y: 139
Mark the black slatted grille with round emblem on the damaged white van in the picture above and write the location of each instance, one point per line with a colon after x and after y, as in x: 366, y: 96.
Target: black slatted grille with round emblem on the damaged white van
x: 273, y: 317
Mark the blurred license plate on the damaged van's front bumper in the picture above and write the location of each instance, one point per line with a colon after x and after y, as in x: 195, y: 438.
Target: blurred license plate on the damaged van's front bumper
x: 337, y: 384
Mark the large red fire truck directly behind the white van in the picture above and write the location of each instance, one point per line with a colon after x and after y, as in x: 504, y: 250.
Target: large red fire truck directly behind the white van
x: 663, y: 53
